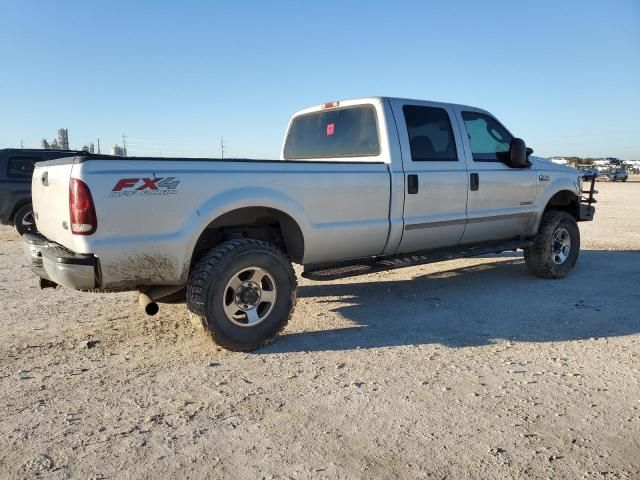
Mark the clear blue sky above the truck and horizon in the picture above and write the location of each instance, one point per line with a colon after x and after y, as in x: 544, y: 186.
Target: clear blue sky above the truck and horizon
x: 564, y: 75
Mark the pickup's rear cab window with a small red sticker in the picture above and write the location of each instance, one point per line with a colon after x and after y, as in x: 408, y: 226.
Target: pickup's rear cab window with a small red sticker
x: 344, y: 132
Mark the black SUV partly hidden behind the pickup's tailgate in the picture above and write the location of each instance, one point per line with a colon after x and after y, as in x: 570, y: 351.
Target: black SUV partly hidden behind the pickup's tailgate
x: 16, y: 167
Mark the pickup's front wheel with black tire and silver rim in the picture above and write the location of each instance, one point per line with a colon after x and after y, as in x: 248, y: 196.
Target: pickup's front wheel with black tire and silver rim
x: 547, y: 258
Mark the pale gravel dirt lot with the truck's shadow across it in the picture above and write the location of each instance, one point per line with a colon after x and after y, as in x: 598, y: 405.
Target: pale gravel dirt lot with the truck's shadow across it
x: 464, y: 369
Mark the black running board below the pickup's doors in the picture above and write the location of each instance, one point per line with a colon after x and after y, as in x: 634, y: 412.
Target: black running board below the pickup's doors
x: 333, y: 271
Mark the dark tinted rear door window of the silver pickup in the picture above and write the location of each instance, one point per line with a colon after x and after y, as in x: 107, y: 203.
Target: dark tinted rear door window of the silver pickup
x: 430, y: 134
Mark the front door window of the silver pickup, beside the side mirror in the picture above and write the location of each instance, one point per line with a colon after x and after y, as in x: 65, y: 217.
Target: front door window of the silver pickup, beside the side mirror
x: 489, y: 140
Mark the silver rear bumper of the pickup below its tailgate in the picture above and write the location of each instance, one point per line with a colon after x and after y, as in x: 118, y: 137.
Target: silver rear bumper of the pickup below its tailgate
x: 57, y: 264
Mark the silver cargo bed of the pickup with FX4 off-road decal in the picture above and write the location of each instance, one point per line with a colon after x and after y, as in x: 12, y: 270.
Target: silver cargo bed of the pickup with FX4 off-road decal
x: 151, y: 210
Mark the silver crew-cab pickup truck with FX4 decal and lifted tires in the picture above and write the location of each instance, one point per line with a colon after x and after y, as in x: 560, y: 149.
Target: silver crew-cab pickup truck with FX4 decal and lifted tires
x: 362, y: 185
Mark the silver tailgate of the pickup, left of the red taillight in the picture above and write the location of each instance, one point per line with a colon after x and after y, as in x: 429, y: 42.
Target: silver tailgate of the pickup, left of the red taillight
x: 50, y: 196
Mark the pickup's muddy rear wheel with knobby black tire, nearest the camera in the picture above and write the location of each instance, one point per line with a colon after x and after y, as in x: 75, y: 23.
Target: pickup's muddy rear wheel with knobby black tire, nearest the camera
x: 209, y: 297
